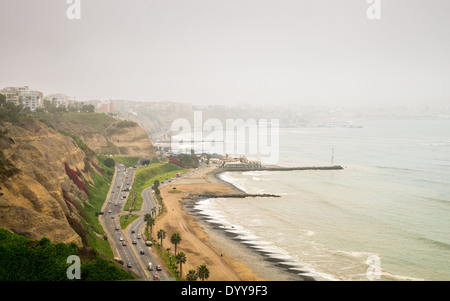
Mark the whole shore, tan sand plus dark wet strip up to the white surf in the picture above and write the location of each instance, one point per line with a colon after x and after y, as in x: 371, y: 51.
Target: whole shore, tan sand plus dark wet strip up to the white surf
x: 228, y: 257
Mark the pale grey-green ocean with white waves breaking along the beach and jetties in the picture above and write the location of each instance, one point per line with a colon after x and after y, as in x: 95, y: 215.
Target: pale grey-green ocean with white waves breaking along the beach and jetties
x: 385, y: 216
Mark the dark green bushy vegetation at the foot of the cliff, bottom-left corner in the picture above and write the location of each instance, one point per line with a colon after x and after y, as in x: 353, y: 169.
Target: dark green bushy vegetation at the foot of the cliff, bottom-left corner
x: 23, y: 259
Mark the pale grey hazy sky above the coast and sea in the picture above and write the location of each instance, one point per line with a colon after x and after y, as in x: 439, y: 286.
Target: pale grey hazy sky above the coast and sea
x: 228, y: 51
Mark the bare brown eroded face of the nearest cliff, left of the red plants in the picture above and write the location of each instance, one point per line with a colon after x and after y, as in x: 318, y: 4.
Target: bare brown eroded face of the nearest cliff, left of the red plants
x: 38, y: 197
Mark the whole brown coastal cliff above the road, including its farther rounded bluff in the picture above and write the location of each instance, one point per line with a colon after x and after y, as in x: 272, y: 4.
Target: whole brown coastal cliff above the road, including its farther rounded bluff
x: 47, y: 166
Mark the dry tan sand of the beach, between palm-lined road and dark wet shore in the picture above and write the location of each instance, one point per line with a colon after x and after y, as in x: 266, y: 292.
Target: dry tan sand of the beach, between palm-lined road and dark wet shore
x: 195, y: 242
